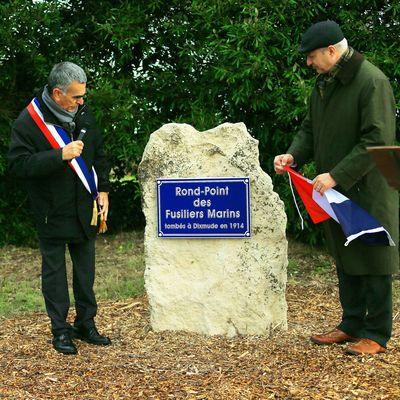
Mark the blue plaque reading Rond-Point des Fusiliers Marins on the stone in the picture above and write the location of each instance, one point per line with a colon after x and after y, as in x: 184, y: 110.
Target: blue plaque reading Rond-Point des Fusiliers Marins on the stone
x: 203, y: 208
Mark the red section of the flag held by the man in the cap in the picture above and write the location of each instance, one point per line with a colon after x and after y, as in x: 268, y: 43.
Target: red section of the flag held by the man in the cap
x: 305, y: 191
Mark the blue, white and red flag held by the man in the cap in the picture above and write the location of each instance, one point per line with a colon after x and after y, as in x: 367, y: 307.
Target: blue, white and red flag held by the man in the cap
x: 354, y: 221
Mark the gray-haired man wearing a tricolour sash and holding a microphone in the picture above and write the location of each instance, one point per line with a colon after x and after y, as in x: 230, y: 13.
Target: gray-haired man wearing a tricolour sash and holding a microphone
x: 57, y: 150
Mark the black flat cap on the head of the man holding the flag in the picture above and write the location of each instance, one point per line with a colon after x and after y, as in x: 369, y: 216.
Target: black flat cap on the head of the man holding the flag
x: 321, y: 34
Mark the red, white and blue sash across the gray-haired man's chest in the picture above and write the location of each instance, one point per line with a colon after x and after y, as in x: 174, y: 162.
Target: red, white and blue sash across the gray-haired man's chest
x: 58, y: 138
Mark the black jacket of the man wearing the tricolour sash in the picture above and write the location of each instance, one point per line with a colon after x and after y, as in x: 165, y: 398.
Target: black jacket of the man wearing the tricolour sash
x: 61, y: 204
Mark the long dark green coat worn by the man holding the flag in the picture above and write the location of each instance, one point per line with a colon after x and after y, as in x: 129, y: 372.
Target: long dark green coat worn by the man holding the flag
x: 356, y: 110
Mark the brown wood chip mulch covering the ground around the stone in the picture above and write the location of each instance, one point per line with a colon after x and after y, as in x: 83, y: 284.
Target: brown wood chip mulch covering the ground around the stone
x: 142, y: 364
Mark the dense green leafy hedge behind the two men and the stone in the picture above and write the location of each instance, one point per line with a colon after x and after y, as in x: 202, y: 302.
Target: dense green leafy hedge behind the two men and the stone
x: 202, y: 62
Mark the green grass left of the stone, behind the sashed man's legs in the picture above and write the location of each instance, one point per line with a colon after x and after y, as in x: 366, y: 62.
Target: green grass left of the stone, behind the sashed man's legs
x: 119, y: 273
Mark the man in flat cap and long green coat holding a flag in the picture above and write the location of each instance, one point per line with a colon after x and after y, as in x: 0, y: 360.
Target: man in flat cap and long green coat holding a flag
x: 351, y: 107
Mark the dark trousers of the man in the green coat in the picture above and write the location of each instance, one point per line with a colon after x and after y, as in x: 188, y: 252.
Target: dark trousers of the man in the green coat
x: 367, y: 306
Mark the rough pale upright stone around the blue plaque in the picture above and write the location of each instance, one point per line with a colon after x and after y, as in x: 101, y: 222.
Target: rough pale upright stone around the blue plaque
x: 214, y: 286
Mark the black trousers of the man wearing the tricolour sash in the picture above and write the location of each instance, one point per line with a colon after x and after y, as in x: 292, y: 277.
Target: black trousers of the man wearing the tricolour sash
x: 55, y: 286
